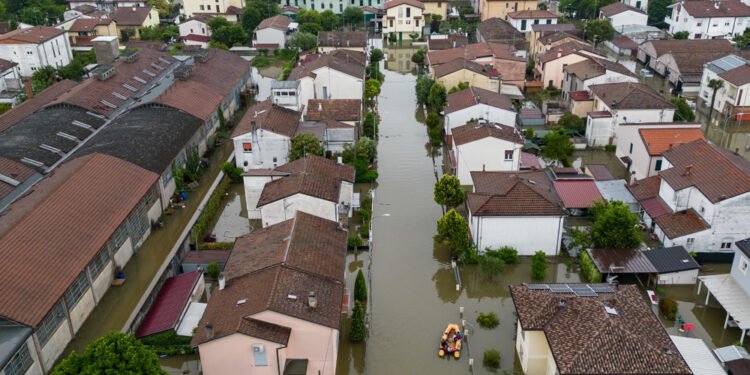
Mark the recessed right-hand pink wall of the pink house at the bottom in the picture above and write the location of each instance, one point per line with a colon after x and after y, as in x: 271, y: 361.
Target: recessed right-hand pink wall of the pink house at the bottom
x: 317, y: 343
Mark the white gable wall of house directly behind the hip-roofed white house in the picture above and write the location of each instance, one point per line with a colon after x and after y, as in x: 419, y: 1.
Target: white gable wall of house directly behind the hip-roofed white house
x: 485, y: 154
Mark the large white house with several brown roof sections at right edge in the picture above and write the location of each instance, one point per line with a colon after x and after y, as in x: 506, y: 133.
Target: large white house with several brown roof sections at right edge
x: 707, y: 189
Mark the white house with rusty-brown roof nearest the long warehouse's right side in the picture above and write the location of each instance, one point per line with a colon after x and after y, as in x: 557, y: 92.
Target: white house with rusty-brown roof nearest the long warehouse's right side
x: 262, y: 139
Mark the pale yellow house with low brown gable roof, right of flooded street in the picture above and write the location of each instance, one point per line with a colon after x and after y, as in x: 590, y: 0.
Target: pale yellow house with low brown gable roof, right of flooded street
x: 460, y: 70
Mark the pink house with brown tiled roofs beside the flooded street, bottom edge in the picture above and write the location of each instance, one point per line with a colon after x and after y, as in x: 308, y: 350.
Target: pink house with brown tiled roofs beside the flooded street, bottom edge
x: 278, y: 305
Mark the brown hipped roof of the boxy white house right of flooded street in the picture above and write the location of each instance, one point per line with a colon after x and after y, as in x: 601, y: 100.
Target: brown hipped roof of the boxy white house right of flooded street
x: 513, y: 194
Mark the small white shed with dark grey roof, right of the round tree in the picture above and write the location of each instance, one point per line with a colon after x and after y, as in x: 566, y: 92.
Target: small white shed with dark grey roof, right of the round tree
x: 674, y: 265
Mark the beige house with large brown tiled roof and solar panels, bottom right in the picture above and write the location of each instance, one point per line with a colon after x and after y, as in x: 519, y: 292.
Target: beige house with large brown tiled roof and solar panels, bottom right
x: 591, y: 329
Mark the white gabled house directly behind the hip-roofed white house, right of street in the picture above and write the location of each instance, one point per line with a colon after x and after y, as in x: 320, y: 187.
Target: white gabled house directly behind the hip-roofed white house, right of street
x: 483, y: 146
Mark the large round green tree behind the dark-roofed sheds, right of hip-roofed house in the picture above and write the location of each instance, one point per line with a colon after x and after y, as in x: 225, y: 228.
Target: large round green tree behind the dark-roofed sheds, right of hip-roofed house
x: 614, y: 227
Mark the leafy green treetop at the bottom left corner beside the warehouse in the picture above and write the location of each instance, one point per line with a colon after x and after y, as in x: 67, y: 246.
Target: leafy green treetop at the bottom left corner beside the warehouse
x: 115, y: 353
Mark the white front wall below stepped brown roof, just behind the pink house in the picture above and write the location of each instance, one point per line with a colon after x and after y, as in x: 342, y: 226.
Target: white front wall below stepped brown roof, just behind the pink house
x: 284, y: 209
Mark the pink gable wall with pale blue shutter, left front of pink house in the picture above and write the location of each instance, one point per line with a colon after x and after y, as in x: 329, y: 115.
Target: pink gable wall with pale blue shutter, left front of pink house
x: 233, y: 354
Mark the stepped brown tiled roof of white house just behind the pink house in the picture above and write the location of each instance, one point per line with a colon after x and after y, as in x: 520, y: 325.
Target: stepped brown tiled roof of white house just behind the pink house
x: 313, y: 175
